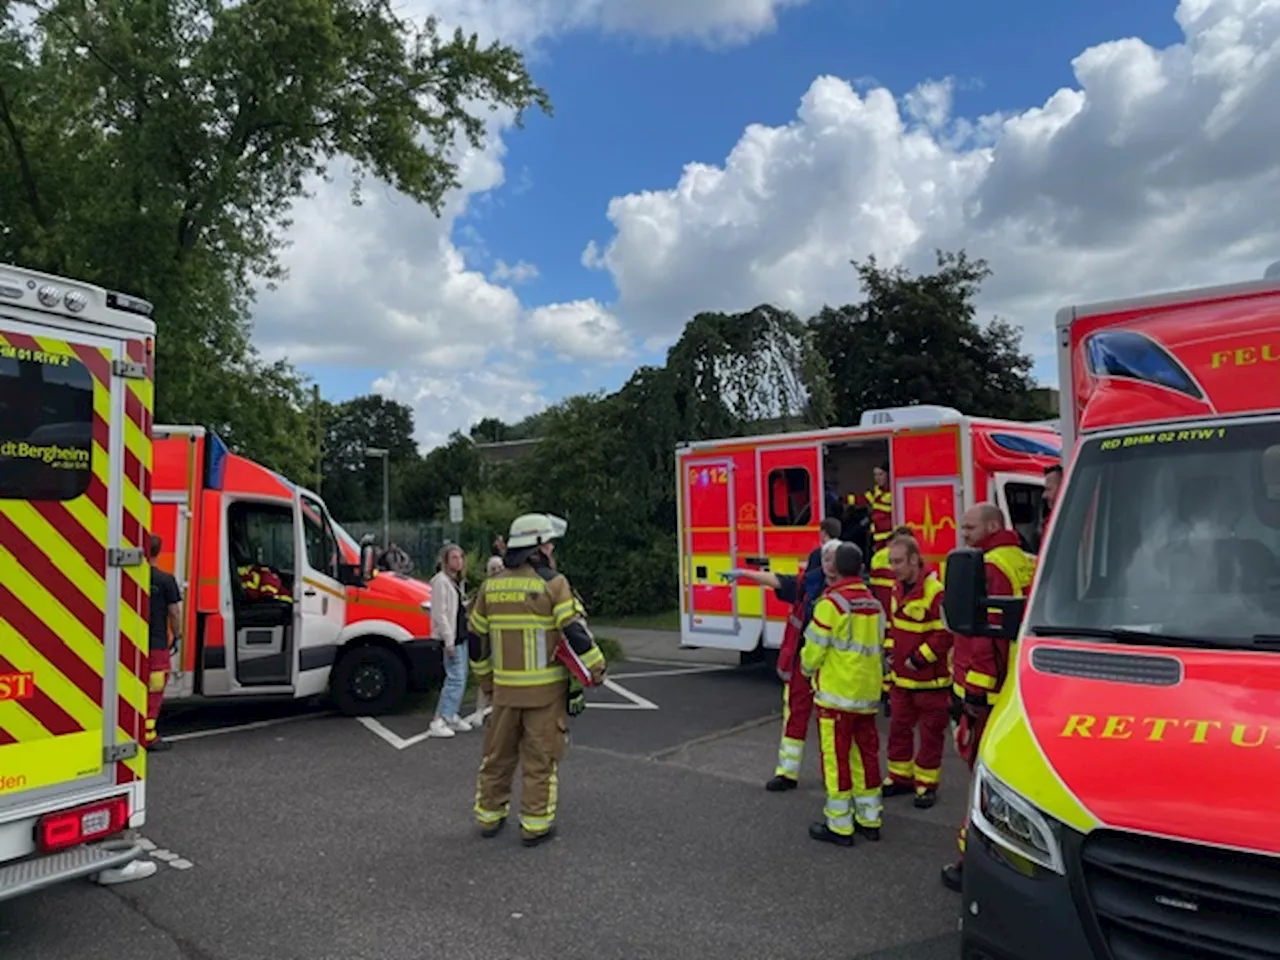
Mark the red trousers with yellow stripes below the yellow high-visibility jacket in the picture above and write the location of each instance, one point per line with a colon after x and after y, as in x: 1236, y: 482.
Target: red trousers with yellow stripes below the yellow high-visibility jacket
x: 851, y: 769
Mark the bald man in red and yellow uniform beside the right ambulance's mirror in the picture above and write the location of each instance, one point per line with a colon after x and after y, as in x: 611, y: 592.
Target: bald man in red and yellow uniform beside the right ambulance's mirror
x: 980, y: 664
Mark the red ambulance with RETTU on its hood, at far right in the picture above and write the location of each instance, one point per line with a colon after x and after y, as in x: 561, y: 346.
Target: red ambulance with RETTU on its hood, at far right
x: 1124, y: 796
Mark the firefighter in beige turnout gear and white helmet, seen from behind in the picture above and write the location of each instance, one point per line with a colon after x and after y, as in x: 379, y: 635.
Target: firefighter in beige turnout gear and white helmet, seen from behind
x: 518, y: 623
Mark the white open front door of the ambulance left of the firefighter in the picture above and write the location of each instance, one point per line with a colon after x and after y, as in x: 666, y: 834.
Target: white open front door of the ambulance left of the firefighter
x: 323, y: 609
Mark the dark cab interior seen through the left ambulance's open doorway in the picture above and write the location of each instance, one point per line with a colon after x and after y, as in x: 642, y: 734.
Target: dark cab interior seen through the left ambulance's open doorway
x: 263, y: 536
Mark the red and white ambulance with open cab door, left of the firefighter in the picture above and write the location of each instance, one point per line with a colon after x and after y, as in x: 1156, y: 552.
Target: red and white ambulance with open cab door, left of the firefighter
x: 342, y: 629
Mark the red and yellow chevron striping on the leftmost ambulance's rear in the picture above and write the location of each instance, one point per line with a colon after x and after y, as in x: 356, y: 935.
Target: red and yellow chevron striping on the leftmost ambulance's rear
x: 53, y: 583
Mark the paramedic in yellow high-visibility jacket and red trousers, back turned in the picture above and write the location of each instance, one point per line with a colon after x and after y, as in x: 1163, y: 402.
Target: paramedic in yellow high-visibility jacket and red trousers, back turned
x: 843, y: 653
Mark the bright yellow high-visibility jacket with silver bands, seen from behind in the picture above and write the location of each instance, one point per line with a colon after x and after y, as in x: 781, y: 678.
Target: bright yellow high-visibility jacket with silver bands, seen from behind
x: 844, y: 650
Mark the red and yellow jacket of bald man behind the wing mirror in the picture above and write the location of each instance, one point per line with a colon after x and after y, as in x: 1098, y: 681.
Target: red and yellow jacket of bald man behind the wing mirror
x: 980, y: 664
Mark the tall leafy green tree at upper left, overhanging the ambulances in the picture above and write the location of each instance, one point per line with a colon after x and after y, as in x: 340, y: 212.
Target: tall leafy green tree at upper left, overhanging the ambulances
x: 157, y: 149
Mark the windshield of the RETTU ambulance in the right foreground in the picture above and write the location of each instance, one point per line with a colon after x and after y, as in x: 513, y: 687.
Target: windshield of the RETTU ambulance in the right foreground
x: 1172, y: 532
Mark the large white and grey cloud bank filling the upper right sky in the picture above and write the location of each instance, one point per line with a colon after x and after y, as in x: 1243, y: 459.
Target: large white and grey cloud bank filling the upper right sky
x: 1158, y: 172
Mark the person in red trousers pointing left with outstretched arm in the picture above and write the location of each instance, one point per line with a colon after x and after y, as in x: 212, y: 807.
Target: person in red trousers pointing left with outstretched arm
x: 802, y: 592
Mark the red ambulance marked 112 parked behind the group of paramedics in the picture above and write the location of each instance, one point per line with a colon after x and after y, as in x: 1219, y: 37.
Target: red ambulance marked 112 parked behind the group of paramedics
x: 756, y: 502
